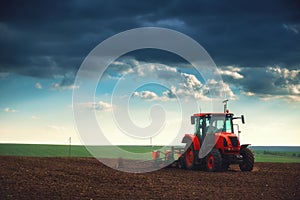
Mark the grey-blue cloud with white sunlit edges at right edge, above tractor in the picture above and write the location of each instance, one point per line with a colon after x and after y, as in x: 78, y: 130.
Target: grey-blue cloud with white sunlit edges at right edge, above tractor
x: 265, y: 82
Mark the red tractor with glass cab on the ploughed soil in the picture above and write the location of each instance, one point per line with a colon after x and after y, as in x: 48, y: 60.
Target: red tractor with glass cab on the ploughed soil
x: 214, y: 146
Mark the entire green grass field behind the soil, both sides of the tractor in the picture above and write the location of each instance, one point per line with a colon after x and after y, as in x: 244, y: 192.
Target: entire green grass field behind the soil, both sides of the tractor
x: 38, y: 150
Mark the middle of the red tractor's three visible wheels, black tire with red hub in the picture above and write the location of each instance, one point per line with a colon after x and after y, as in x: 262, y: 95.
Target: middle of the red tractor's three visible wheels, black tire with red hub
x: 213, y: 161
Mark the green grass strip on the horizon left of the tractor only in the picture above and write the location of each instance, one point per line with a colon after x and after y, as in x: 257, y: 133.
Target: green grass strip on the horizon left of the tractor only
x: 42, y: 150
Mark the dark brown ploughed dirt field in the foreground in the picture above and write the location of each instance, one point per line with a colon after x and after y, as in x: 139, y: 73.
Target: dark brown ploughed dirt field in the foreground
x: 86, y: 178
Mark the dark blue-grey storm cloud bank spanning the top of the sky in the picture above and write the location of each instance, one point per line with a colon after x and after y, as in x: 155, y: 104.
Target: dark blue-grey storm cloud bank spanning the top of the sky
x: 48, y: 38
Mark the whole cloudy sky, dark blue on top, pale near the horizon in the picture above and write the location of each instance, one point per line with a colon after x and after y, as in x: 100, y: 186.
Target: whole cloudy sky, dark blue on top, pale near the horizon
x: 255, y: 46
